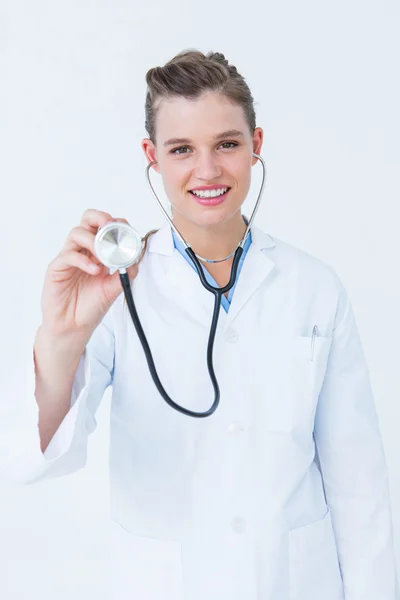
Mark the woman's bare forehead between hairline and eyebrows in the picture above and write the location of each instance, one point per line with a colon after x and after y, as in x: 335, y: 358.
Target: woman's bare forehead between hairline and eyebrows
x: 198, y: 118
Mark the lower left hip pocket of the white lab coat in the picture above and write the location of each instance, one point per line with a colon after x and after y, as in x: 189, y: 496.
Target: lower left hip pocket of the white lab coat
x: 144, y: 567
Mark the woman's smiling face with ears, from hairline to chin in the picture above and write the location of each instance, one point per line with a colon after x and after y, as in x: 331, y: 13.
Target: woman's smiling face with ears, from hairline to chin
x: 200, y: 143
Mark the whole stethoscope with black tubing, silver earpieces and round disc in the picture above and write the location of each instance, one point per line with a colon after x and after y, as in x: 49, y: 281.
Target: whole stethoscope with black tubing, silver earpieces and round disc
x: 119, y: 245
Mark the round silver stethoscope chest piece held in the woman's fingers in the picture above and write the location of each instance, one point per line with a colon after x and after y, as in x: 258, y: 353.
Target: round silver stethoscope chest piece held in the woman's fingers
x: 118, y: 245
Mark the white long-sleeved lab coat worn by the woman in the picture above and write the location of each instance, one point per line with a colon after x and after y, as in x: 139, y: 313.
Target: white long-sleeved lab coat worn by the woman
x: 282, y: 494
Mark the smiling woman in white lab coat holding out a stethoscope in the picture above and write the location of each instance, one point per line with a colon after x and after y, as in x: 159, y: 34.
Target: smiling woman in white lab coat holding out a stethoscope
x: 282, y: 493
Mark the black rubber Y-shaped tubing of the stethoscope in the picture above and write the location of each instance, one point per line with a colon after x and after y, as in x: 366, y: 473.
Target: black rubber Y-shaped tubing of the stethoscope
x: 126, y: 285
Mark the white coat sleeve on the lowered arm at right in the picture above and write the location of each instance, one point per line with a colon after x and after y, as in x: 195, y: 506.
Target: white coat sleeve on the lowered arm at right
x: 353, y: 466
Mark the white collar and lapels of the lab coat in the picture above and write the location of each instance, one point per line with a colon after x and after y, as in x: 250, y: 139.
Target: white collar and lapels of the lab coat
x: 183, y: 283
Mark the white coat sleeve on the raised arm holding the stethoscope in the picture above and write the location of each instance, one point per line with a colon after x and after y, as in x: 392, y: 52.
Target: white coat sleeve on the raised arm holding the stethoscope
x: 21, y: 458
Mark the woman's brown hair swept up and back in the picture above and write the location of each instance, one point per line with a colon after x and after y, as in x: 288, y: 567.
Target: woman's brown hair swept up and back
x: 189, y: 74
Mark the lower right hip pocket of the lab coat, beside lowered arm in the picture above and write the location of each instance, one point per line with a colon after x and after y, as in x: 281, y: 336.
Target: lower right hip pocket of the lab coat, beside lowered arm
x: 314, y: 565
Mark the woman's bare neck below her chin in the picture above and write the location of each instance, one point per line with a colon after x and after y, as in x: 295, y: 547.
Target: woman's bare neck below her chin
x: 212, y: 242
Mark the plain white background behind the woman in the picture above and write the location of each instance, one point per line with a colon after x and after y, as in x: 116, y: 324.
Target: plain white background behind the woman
x: 325, y: 80
